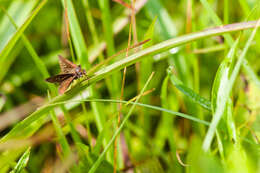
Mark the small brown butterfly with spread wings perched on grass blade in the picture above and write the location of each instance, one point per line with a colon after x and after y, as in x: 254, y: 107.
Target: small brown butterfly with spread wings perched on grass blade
x: 69, y: 72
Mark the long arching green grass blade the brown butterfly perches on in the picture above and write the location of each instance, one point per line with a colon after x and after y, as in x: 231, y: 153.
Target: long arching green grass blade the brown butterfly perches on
x: 102, y: 73
